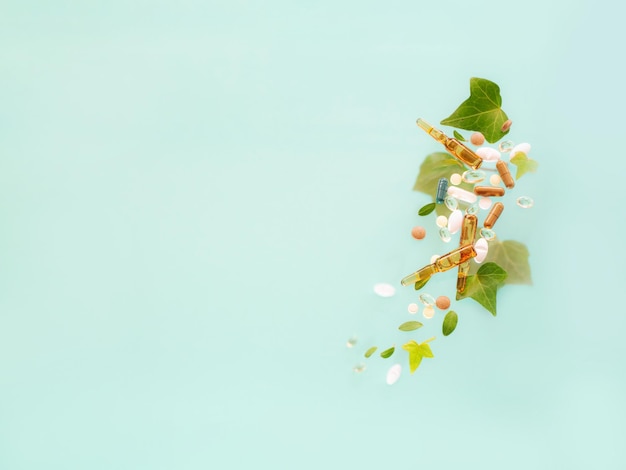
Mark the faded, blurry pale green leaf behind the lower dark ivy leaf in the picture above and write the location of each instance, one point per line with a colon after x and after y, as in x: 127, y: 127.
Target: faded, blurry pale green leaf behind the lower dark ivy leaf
x: 511, y: 256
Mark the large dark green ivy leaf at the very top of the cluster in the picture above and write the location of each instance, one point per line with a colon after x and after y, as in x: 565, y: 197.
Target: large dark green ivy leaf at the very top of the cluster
x: 481, y: 112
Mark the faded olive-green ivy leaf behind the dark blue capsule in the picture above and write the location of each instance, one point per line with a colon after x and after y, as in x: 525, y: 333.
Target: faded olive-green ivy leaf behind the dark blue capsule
x: 435, y: 166
